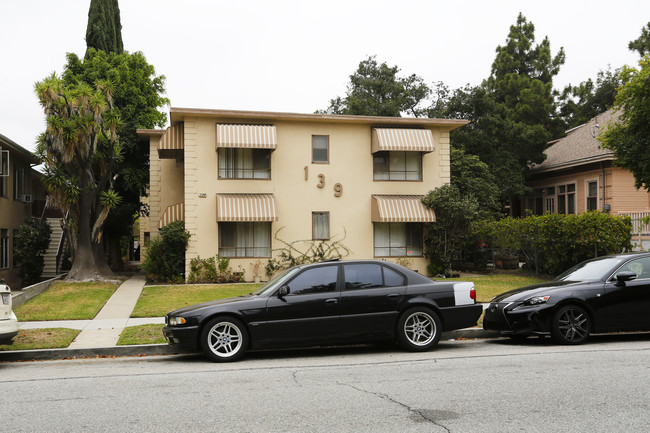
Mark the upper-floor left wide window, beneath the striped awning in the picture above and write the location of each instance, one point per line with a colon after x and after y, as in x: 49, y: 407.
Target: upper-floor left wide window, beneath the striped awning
x: 237, y: 163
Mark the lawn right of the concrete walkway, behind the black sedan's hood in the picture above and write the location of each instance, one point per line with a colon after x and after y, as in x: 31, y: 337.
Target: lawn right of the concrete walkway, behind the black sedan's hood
x: 156, y: 301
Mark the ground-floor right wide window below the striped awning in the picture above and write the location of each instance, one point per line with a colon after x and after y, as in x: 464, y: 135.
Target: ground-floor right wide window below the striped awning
x: 398, y: 239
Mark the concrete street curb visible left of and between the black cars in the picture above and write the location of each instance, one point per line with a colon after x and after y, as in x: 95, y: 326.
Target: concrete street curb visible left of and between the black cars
x: 165, y: 349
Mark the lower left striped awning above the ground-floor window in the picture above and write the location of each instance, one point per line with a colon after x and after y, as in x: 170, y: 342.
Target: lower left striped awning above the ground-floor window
x: 246, y: 207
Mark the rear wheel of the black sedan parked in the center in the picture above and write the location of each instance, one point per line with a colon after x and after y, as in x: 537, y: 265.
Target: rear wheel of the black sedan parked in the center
x: 418, y: 329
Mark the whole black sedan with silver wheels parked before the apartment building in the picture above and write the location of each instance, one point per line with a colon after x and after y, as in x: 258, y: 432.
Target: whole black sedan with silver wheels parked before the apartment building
x: 328, y: 303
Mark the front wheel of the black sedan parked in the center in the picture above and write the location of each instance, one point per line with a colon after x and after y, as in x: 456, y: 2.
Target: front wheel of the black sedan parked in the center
x: 224, y: 339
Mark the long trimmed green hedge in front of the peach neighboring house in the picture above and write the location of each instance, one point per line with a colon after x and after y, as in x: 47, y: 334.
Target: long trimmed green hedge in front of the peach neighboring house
x: 552, y: 243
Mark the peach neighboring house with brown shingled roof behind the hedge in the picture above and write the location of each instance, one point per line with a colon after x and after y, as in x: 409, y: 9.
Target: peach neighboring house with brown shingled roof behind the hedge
x: 579, y: 175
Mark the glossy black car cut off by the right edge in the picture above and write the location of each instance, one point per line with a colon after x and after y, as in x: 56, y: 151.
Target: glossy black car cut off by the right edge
x: 606, y: 294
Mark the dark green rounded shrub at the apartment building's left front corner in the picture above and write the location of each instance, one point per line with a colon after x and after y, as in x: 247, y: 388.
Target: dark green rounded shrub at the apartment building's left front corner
x: 164, y: 259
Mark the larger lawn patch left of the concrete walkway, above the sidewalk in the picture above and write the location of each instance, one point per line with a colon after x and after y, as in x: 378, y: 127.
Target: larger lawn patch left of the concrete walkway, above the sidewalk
x: 66, y: 301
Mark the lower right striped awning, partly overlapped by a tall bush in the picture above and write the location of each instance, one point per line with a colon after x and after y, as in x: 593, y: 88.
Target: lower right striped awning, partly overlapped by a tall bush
x: 401, y: 208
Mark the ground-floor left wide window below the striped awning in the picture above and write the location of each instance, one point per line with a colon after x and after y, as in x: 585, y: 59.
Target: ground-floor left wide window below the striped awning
x: 245, y: 239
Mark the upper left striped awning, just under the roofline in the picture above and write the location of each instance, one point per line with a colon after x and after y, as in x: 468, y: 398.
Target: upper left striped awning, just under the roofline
x: 247, y: 136
